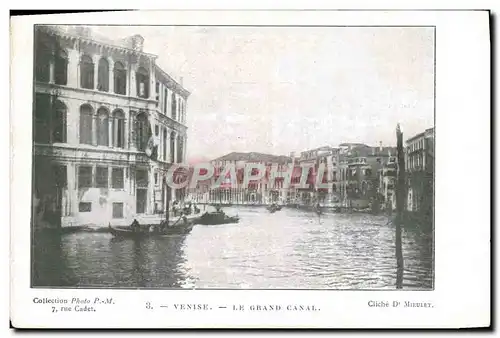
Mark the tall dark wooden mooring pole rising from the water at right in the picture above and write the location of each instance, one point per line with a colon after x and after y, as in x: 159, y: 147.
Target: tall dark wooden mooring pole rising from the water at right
x: 400, y: 207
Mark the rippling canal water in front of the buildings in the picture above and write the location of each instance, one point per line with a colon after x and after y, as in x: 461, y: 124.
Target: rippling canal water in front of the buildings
x: 287, y: 249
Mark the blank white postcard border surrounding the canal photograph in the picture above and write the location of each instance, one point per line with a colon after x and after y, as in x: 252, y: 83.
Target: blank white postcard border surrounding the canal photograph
x: 462, y: 234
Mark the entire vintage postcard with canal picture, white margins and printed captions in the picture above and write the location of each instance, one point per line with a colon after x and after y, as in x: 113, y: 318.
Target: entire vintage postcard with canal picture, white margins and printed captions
x: 231, y: 169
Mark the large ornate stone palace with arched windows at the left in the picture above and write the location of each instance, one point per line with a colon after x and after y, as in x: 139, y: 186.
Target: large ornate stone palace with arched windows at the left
x: 107, y: 125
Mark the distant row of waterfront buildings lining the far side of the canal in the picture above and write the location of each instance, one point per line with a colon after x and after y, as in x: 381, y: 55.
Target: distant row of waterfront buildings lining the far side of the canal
x: 355, y: 175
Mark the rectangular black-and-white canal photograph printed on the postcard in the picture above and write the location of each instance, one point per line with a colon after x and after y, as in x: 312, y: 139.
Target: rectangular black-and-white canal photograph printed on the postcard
x: 233, y: 157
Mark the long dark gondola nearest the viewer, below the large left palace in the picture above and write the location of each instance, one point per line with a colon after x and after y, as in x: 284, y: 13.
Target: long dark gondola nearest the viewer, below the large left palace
x: 141, y: 231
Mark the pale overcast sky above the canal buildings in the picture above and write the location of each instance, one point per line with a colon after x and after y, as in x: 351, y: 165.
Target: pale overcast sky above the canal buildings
x: 282, y: 89
